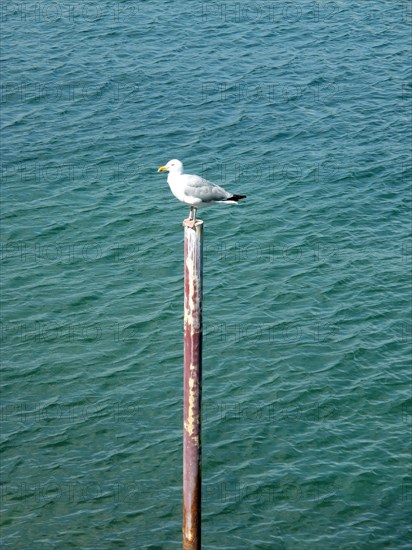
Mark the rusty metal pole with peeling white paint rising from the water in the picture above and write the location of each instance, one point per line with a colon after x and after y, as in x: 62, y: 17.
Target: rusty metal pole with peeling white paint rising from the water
x: 192, y: 477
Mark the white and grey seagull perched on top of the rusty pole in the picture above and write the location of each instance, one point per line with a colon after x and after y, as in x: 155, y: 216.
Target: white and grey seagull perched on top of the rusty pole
x: 195, y: 190
